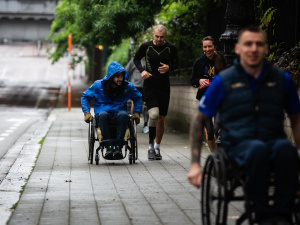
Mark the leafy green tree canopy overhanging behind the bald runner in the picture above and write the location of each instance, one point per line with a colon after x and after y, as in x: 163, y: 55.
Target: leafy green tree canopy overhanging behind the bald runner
x: 108, y: 22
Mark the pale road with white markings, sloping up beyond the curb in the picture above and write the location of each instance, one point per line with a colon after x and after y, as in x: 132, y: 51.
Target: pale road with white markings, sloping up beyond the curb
x: 30, y: 86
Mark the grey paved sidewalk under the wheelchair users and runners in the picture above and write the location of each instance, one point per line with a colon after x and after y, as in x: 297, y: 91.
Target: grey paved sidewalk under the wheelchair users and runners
x: 65, y: 189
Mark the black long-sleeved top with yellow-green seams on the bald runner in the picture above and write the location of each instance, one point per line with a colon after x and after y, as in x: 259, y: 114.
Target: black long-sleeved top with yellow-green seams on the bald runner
x: 154, y: 55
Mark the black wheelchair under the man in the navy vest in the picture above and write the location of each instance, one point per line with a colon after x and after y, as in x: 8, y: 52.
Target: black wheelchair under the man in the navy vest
x: 223, y: 182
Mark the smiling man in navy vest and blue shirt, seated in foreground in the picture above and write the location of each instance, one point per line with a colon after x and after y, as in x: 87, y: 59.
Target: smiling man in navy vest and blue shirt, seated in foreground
x: 252, y: 97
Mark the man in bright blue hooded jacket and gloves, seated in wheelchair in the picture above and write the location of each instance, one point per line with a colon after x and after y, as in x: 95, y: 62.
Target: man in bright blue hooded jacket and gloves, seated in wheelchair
x: 110, y: 96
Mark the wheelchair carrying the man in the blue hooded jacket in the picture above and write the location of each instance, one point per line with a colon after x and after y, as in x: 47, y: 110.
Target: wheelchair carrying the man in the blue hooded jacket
x: 129, y: 142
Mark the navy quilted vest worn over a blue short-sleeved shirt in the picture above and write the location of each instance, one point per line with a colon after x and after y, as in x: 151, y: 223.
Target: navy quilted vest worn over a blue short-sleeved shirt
x: 245, y: 114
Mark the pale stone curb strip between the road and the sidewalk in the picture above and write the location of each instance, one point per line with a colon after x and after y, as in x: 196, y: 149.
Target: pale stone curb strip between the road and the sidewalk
x: 17, y: 164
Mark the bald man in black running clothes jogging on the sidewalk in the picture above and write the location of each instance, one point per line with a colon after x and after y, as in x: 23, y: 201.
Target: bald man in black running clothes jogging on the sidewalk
x: 161, y: 57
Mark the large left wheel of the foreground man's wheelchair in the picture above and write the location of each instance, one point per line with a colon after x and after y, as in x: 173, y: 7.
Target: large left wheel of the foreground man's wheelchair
x: 214, y: 200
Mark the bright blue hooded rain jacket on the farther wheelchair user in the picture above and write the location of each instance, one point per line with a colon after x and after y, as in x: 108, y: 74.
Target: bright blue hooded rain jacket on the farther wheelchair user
x: 103, y: 102
